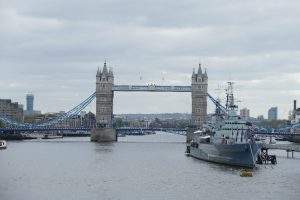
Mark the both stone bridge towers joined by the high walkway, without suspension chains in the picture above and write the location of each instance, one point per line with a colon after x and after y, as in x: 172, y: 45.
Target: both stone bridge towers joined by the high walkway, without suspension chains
x: 105, y: 89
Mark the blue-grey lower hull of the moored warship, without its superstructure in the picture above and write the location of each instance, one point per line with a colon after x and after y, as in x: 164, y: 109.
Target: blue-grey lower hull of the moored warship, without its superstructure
x: 243, y: 155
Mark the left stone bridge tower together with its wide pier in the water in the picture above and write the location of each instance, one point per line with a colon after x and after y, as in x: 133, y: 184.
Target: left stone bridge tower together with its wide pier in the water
x: 104, y: 131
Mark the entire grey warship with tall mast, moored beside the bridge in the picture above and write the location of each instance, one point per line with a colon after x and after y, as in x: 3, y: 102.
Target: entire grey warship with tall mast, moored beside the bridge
x: 226, y: 140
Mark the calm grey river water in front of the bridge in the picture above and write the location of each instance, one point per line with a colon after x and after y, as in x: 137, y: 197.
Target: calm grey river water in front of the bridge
x: 137, y: 167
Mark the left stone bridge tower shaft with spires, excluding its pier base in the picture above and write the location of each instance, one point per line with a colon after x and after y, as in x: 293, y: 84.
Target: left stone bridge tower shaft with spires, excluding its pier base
x: 104, y: 97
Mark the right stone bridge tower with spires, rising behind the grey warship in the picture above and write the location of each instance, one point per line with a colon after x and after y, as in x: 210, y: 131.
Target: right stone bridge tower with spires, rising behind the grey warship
x: 199, y: 97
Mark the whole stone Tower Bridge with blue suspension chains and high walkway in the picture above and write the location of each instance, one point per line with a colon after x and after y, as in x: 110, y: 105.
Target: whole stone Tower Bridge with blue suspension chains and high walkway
x: 105, y: 89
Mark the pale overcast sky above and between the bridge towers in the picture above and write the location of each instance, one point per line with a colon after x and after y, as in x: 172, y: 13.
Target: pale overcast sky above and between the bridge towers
x: 52, y: 48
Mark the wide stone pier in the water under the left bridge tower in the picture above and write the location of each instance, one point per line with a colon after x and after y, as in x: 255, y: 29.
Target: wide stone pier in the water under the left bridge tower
x: 104, y: 135
